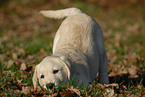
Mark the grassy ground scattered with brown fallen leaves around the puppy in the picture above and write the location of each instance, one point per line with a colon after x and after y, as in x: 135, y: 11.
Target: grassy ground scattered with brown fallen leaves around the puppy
x: 26, y: 38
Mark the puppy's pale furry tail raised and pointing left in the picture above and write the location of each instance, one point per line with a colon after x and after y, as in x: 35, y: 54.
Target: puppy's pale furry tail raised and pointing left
x: 59, y: 14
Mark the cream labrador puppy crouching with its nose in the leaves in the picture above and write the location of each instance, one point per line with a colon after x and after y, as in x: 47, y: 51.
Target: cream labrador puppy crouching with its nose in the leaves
x: 78, y: 51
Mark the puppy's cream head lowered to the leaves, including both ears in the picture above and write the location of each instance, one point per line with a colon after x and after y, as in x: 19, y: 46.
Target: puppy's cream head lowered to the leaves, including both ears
x: 50, y: 72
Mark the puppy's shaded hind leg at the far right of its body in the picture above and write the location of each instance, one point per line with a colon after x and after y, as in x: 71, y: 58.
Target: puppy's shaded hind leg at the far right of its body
x: 103, y: 62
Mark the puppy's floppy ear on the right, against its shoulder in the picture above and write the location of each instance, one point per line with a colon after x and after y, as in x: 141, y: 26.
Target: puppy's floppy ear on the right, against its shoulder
x: 66, y: 64
